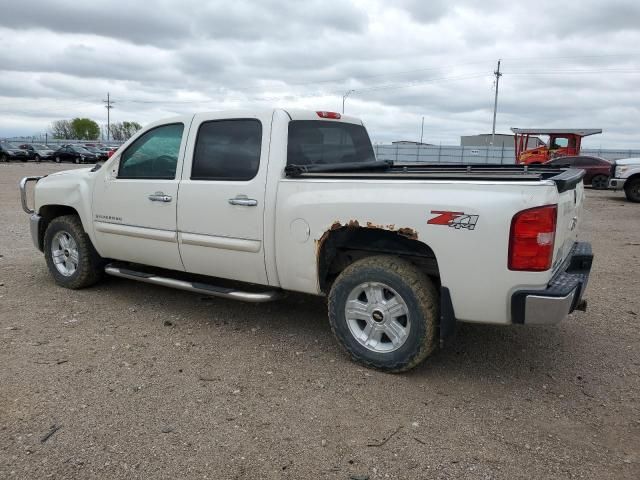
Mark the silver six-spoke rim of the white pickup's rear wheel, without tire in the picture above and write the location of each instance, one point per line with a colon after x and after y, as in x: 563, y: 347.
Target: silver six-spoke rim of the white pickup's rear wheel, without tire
x: 377, y: 317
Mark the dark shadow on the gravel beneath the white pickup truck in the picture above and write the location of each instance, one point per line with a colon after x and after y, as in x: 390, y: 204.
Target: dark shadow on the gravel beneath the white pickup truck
x: 477, y: 351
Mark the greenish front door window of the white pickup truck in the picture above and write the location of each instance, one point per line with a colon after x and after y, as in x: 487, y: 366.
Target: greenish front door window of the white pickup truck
x: 154, y: 155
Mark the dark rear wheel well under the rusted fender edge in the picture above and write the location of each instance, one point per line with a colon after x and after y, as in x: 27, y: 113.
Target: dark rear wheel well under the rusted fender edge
x: 342, y: 245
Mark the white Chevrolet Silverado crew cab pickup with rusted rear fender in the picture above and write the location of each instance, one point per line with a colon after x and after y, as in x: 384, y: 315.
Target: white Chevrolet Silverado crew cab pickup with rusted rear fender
x: 296, y: 201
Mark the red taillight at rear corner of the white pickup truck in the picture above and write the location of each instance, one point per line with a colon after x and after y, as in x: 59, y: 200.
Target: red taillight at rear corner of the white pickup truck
x: 531, y: 239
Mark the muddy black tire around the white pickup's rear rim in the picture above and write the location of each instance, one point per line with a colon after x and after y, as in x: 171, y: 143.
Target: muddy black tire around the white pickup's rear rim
x: 413, y: 287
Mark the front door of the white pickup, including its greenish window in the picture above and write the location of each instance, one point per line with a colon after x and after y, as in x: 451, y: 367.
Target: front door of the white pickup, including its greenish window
x: 134, y: 204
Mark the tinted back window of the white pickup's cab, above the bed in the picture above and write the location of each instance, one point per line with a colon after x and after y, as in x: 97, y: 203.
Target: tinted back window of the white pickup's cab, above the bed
x: 313, y: 142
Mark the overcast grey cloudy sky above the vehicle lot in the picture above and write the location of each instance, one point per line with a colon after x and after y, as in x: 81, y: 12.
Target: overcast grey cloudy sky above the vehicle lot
x: 566, y: 64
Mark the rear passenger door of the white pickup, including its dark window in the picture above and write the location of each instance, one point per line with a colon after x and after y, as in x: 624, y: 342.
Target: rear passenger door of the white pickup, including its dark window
x: 222, y: 195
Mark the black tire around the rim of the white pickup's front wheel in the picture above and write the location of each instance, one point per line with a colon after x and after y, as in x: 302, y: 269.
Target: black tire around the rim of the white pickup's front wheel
x: 90, y: 266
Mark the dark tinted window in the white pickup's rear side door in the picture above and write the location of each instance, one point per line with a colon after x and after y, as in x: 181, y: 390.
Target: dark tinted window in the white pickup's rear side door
x: 227, y: 150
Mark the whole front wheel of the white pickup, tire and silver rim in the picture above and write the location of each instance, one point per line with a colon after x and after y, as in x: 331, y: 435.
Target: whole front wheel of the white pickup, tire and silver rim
x: 70, y: 255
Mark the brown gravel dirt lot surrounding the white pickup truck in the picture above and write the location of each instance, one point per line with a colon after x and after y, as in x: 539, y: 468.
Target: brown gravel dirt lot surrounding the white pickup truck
x: 147, y: 382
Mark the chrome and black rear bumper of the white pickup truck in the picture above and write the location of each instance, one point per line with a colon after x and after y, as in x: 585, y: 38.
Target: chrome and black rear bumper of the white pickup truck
x: 562, y: 295
